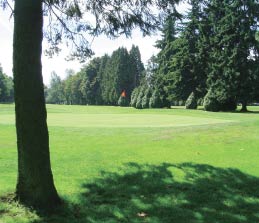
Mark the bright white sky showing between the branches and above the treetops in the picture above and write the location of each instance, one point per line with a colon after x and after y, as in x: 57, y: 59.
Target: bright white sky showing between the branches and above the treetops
x: 100, y: 46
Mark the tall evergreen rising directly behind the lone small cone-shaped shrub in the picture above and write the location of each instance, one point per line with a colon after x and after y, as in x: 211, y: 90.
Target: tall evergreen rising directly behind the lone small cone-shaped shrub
x: 188, y: 65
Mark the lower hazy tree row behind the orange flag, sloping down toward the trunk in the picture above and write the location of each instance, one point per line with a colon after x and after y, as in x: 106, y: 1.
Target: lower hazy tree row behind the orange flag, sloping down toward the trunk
x: 106, y: 80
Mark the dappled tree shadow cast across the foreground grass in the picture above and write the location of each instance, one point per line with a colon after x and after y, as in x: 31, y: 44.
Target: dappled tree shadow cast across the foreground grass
x: 183, y: 193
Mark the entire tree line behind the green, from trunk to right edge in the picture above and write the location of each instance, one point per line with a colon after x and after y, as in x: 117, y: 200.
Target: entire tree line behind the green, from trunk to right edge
x: 208, y: 57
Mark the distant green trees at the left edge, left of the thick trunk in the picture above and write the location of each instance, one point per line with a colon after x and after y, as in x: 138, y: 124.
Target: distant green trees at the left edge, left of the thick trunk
x: 6, y: 87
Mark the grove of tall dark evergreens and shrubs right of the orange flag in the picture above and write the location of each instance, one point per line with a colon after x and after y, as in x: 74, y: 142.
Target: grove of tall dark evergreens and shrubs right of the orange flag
x: 209, y: 57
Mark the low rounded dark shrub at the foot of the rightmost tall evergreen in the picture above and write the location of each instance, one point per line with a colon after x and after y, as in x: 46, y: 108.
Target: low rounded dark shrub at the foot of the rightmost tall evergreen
x: 219, y: 101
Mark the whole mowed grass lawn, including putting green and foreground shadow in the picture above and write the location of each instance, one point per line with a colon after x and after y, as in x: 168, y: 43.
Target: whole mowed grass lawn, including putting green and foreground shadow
x: 114, y: 164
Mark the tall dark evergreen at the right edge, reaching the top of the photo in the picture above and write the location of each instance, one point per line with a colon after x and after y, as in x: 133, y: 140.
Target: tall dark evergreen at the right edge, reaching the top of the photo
x: 234, y: 51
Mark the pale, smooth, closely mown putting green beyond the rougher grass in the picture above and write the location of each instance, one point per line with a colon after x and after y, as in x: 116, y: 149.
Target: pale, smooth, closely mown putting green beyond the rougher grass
x: 121, y: 120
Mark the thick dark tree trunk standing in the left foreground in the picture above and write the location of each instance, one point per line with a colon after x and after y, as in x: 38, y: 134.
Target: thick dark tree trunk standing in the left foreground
x: 35, y: 184
